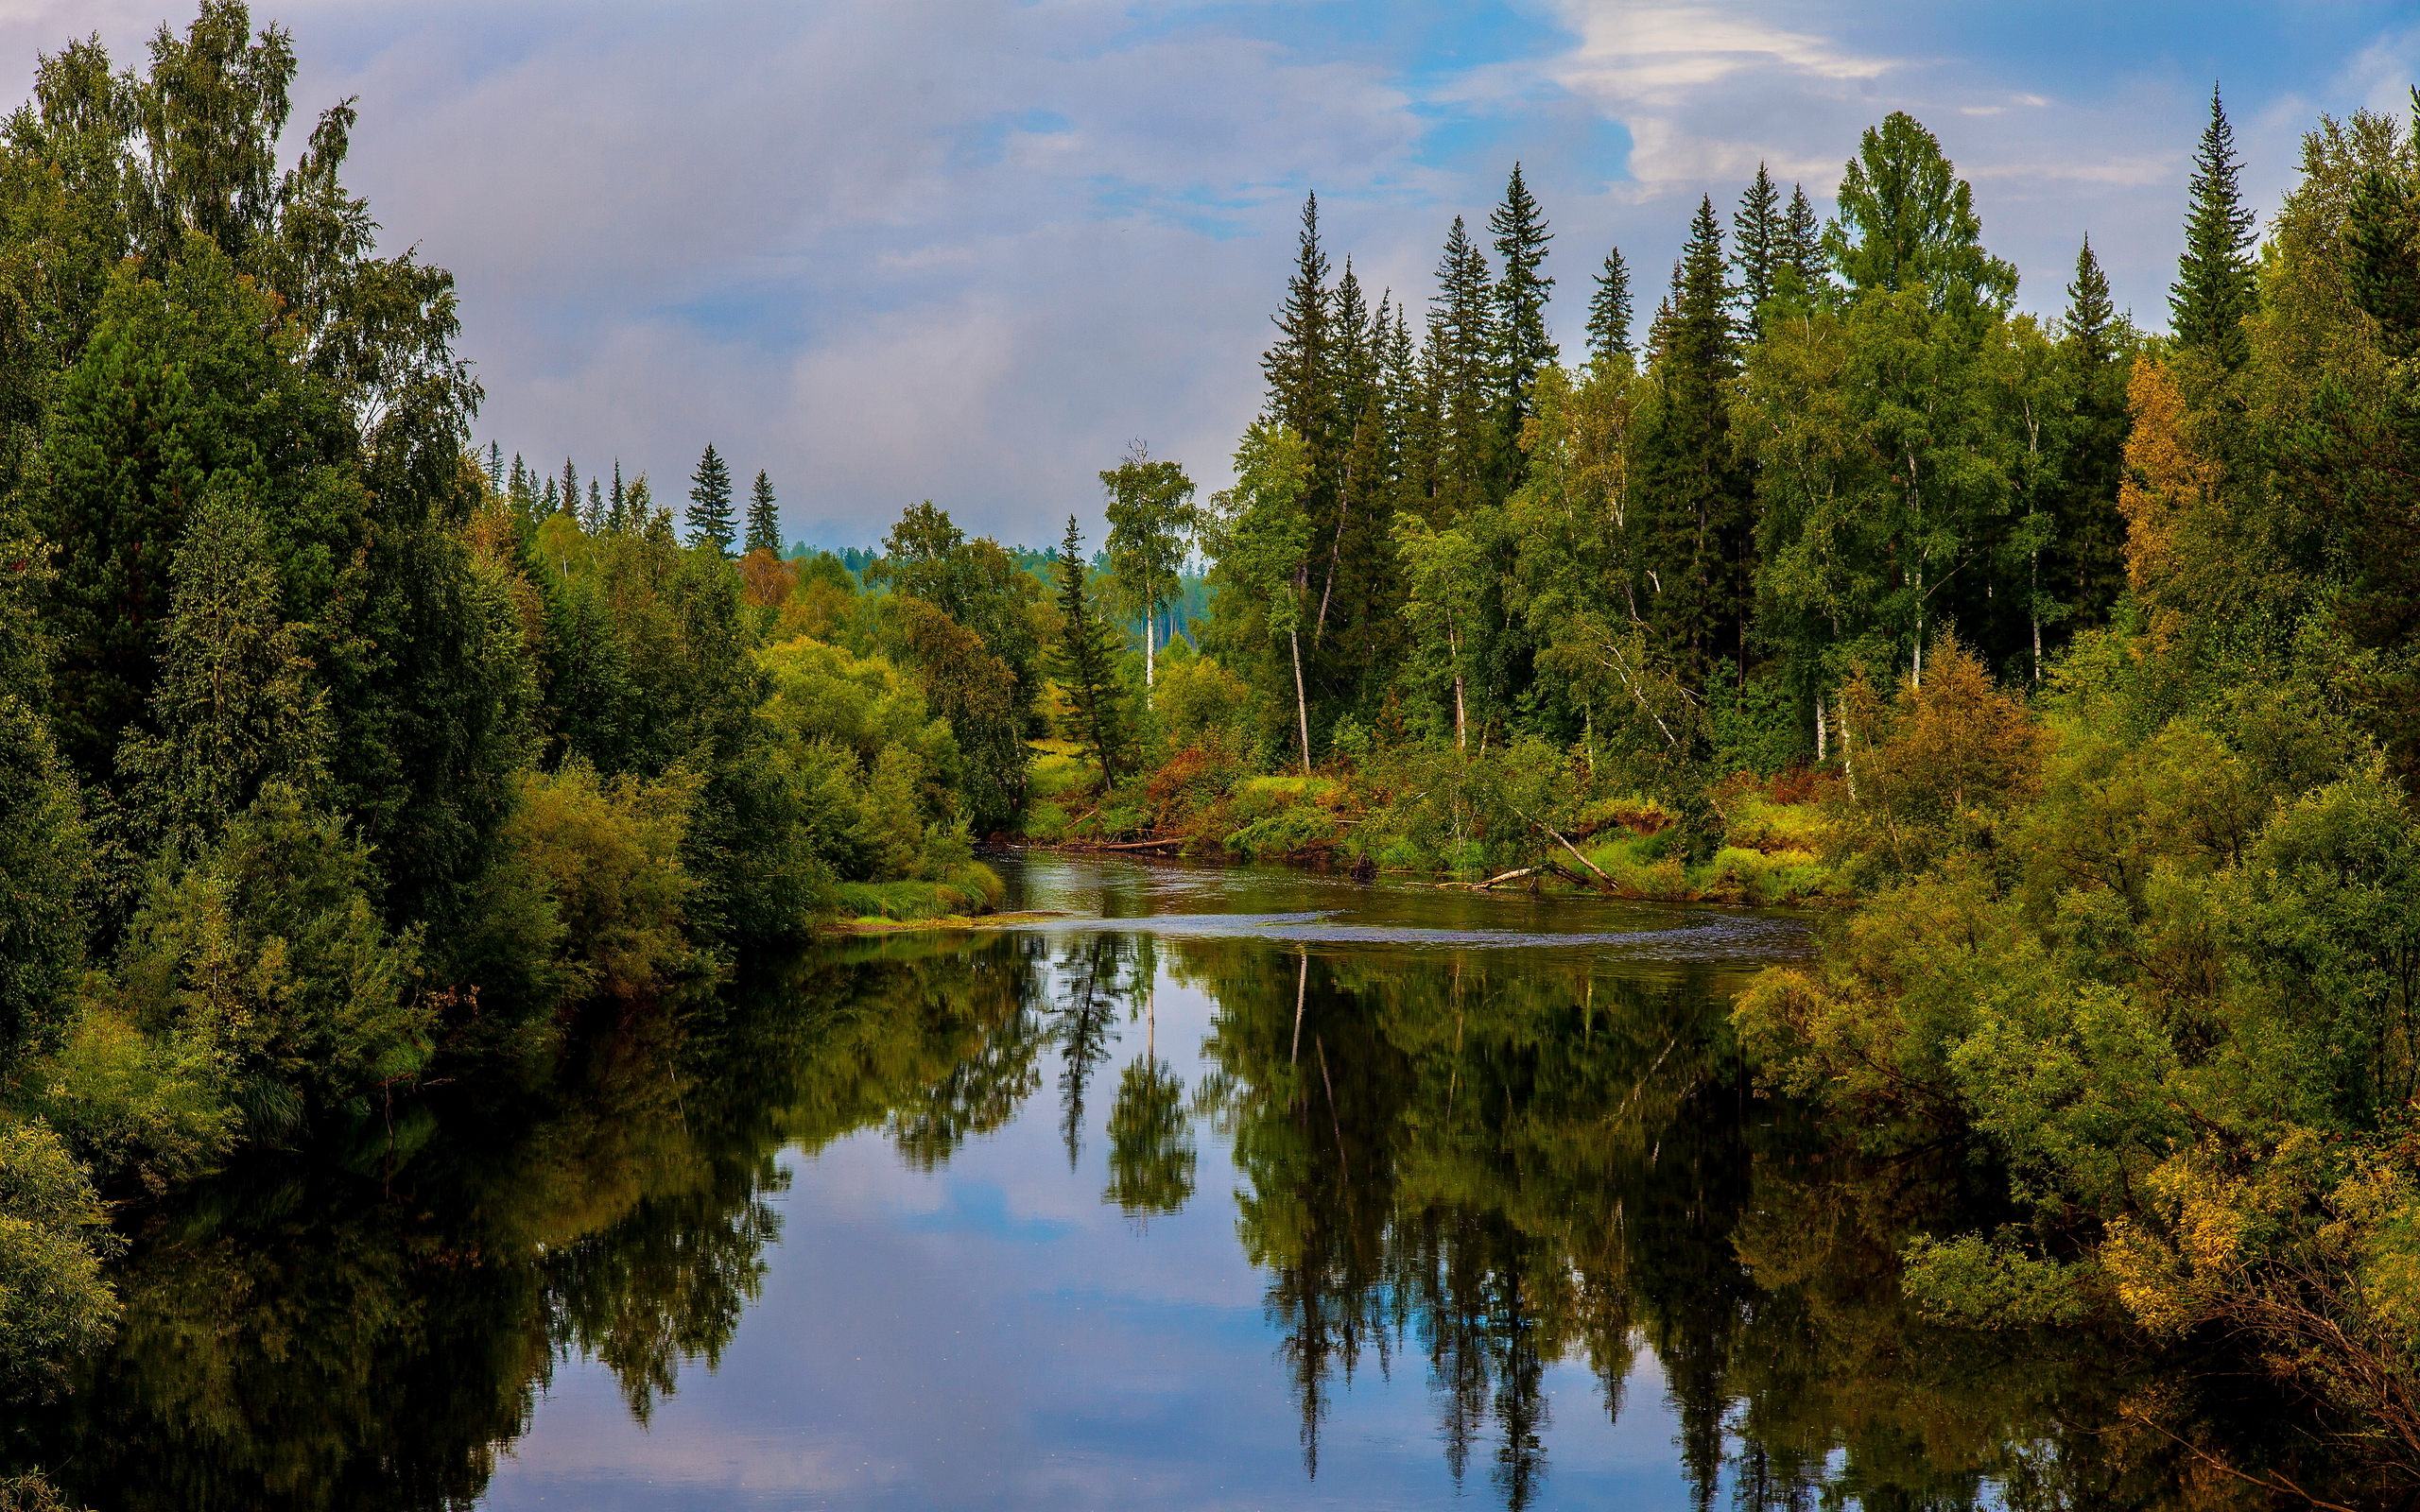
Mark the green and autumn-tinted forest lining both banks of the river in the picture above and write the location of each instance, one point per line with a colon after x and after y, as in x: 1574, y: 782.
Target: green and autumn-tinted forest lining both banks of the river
x: 2080, y: 666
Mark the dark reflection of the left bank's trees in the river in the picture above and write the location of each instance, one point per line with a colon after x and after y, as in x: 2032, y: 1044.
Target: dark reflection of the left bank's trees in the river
x: 362, y: 1325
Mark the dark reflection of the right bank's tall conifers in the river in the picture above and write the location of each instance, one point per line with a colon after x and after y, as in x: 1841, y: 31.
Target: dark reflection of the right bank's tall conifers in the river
x: 1519, y: 1162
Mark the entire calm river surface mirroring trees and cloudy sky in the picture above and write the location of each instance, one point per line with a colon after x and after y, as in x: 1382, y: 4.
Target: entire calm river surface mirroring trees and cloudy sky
x: 1233, y: 1189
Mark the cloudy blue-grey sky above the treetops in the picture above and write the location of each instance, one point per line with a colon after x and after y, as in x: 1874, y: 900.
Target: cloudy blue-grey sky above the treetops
x: 897, y: 250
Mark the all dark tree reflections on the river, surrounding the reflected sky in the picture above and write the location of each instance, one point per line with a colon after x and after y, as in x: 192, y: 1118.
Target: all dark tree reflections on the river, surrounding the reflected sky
x: 1470, y: 1167
